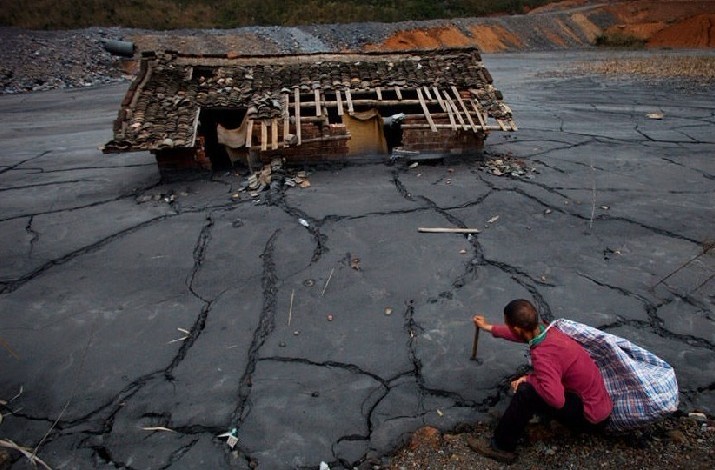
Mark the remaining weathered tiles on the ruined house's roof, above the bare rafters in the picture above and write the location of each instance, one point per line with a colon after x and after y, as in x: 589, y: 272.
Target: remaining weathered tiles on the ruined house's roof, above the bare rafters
x: 162, y: 105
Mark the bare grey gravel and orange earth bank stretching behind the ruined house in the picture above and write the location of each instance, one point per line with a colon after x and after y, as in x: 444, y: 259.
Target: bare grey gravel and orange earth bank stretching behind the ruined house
x: 41, y: 60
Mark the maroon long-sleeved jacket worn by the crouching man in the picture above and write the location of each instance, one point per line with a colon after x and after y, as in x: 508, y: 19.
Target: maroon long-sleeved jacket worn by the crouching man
x: 562, y: 365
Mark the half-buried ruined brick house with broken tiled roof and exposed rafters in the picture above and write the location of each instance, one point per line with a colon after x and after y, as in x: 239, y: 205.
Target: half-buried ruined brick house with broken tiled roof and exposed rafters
x: 211, y: 111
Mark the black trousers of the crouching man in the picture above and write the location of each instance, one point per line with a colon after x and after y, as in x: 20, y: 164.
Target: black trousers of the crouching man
x: 525, y: 403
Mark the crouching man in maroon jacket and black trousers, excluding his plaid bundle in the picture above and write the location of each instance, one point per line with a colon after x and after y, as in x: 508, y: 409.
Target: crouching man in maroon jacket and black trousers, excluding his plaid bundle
x: 565, y: 383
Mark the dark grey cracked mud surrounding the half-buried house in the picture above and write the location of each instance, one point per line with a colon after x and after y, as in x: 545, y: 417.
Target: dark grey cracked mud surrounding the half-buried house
x: 141, y: 318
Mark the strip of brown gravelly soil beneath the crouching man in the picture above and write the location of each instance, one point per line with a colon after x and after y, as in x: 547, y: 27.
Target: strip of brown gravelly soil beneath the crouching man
x: 678, y: 442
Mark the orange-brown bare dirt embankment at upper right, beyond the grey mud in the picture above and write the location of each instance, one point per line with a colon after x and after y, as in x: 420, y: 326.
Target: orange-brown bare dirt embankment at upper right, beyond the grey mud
x: 571, y: 24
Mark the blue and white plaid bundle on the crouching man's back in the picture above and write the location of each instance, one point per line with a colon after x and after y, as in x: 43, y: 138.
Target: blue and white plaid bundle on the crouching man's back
x: 642, y: 386
